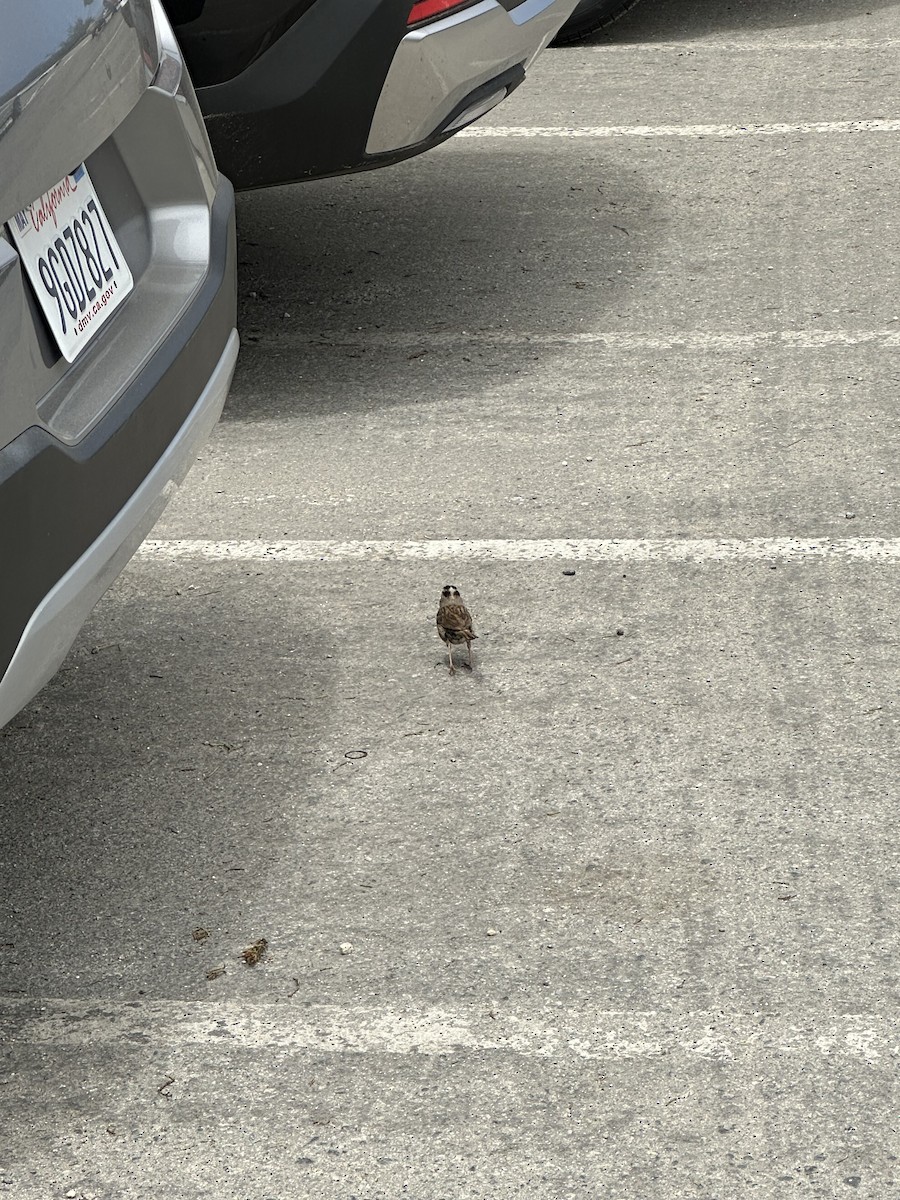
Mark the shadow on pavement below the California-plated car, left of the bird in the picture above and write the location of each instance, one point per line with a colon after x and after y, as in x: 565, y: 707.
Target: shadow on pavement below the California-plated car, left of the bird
x: 149, y: 791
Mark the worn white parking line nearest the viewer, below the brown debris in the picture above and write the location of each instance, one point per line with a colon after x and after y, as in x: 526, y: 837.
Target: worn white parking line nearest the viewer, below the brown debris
x: 543, y: 1033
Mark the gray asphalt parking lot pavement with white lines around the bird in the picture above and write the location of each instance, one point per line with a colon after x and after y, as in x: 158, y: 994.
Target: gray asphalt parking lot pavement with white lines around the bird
x: 615, y: 914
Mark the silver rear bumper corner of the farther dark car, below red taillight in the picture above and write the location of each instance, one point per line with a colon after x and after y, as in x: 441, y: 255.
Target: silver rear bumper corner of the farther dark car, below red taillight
x: 451, y: 73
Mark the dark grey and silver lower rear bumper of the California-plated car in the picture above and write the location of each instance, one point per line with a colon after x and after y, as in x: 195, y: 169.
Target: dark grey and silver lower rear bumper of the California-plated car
x: 73, y: 515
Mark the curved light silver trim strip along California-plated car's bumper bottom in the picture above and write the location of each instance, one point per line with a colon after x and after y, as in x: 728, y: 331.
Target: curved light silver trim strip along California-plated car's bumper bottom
x: 58, y: 620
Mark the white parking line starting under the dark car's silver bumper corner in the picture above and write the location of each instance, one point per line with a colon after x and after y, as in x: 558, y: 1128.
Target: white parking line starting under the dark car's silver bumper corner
x: 677, y: 131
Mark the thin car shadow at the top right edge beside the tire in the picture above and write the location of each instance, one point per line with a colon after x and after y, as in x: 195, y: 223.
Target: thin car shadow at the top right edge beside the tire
x: 652, y: 21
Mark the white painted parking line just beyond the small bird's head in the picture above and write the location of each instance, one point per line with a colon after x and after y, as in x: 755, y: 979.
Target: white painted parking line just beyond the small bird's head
x: 584, y: 550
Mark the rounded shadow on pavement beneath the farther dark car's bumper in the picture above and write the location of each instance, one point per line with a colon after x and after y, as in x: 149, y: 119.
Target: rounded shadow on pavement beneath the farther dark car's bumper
x: 356, y: 278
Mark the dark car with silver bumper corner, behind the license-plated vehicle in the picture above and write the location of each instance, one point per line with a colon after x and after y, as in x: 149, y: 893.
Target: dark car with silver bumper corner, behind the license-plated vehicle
x: 301, y: 89
